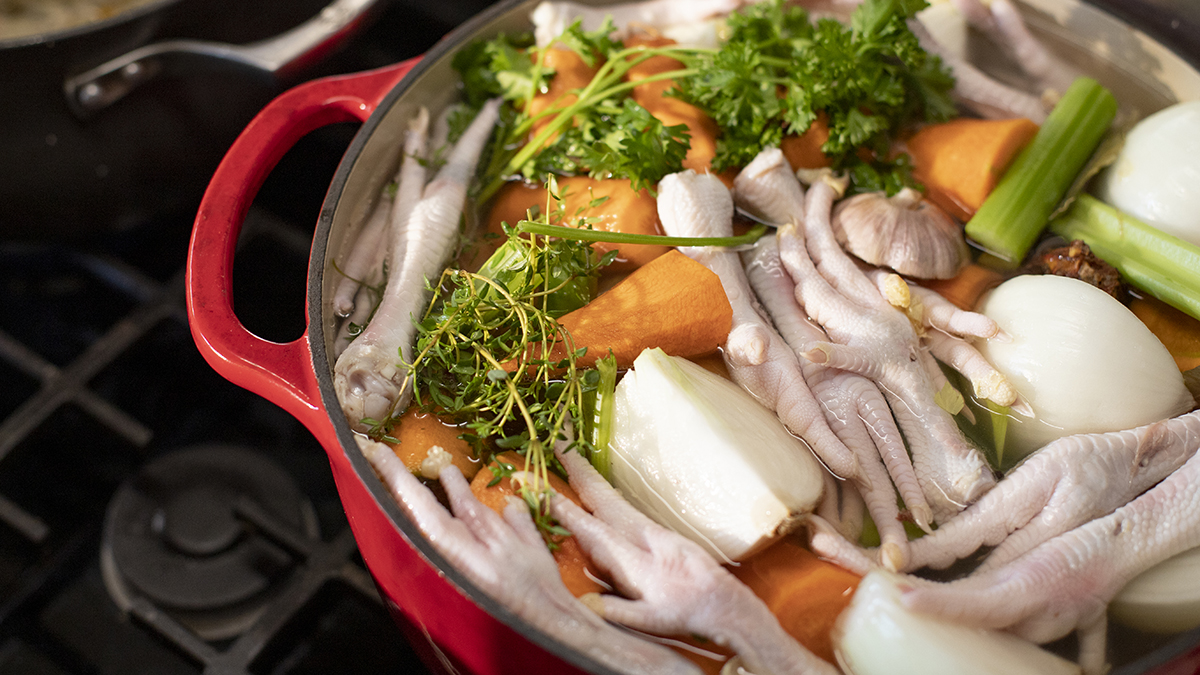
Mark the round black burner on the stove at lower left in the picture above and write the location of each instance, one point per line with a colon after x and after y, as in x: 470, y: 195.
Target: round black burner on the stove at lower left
x: 172, y: 536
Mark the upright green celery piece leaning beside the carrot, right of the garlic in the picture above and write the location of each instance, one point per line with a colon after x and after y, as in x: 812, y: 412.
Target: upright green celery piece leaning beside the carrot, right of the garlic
x: 1018, y: 210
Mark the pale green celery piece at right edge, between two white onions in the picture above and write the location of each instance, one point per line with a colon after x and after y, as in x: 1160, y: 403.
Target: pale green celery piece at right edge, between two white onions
x: 1156, y: 262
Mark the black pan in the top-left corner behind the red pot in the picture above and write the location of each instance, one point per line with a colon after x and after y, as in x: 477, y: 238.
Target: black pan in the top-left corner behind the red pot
x: 67, y: 169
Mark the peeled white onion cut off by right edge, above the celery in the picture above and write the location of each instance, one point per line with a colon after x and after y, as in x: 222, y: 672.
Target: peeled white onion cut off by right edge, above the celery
x: 1155, y: 177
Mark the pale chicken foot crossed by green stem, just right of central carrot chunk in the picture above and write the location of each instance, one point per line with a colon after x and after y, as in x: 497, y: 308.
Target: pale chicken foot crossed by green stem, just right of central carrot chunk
x: 693, y: 205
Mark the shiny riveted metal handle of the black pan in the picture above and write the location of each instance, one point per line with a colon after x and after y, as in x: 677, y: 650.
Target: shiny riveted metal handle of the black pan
x: 278, y: 58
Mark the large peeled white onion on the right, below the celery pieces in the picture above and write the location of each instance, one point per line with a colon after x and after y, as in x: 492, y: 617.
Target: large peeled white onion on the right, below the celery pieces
x: 1082, y: 361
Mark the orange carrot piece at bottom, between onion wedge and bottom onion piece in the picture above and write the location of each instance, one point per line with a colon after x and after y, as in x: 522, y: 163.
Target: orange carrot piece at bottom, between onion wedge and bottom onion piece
x: 803, y: 592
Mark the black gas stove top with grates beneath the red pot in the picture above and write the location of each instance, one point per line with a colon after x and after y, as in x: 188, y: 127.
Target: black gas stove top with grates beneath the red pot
x: 155, y: 518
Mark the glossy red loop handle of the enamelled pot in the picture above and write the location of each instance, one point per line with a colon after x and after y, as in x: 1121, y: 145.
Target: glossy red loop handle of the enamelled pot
x: 280, y: 373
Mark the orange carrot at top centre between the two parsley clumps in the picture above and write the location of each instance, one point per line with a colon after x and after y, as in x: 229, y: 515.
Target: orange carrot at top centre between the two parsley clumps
x: 669, y: 110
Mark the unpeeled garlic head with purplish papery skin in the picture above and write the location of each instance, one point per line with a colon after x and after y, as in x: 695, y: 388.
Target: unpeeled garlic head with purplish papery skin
x: 904, y: 232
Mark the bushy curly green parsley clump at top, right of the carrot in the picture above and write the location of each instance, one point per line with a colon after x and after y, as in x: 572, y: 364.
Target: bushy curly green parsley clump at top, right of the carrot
x: 778, y: 71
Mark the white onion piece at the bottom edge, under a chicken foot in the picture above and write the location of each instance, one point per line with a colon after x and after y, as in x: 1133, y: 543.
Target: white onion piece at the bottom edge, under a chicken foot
x: 878, y: 636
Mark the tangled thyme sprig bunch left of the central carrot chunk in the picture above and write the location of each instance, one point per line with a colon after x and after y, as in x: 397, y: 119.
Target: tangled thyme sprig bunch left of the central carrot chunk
x: 484, y: 351
